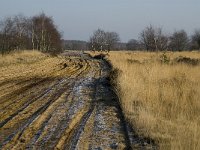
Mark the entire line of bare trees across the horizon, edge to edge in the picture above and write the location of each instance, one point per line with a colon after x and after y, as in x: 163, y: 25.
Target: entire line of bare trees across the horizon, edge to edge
x: 39, y: 32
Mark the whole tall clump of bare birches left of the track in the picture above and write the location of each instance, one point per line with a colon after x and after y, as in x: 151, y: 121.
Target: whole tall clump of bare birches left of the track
x: 36, y: 32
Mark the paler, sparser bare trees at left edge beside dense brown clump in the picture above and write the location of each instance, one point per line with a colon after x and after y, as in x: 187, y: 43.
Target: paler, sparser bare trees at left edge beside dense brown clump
x: 14, y: 33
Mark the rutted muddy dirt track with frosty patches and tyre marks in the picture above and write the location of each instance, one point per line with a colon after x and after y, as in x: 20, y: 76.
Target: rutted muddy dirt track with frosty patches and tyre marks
x: 78, y: 110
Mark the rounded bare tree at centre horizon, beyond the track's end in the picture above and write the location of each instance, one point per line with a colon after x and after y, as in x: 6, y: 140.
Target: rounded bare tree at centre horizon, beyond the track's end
x: 101, y: 40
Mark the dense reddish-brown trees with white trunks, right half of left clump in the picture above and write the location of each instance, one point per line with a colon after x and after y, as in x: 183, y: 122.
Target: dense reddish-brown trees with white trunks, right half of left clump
x: 45, y: 36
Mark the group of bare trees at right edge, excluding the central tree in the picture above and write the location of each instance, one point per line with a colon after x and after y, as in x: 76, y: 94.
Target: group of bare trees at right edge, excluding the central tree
x: 153, y: 39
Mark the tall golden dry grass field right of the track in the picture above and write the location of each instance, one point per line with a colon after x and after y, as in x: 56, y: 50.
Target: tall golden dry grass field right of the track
x: 161, y: 98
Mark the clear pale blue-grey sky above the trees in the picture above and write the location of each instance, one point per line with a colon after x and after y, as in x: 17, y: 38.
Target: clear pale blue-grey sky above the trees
x: 77, y: 19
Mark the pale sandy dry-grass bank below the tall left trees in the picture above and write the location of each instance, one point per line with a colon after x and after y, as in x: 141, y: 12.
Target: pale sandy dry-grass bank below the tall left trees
x: 31, y: 64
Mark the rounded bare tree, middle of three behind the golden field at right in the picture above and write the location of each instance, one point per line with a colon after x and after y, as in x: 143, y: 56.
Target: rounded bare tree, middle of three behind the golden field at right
x: 179, y: 41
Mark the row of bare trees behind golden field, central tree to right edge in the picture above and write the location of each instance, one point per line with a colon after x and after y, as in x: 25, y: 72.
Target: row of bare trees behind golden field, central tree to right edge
x: 150, y: 39
